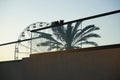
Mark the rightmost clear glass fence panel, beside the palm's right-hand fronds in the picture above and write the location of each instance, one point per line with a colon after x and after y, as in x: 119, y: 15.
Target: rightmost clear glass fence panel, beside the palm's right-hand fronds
x: 109, y: 29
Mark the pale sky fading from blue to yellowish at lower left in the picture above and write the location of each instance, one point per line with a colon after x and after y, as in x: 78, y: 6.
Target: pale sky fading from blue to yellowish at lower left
x: 16, y: 15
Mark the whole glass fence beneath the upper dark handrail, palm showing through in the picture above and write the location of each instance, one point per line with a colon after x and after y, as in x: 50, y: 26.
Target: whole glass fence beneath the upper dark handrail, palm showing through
x: 89, y: 33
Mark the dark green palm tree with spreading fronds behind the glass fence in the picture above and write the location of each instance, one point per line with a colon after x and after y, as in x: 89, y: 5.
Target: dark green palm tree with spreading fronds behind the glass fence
x: 69, y: 37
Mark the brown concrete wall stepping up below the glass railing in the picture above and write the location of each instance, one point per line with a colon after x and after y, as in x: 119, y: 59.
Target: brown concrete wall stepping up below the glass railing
x: 100, y: 63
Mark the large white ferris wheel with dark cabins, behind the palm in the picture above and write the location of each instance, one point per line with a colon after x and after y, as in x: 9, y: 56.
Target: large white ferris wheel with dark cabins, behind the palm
x: 25, y: 48
